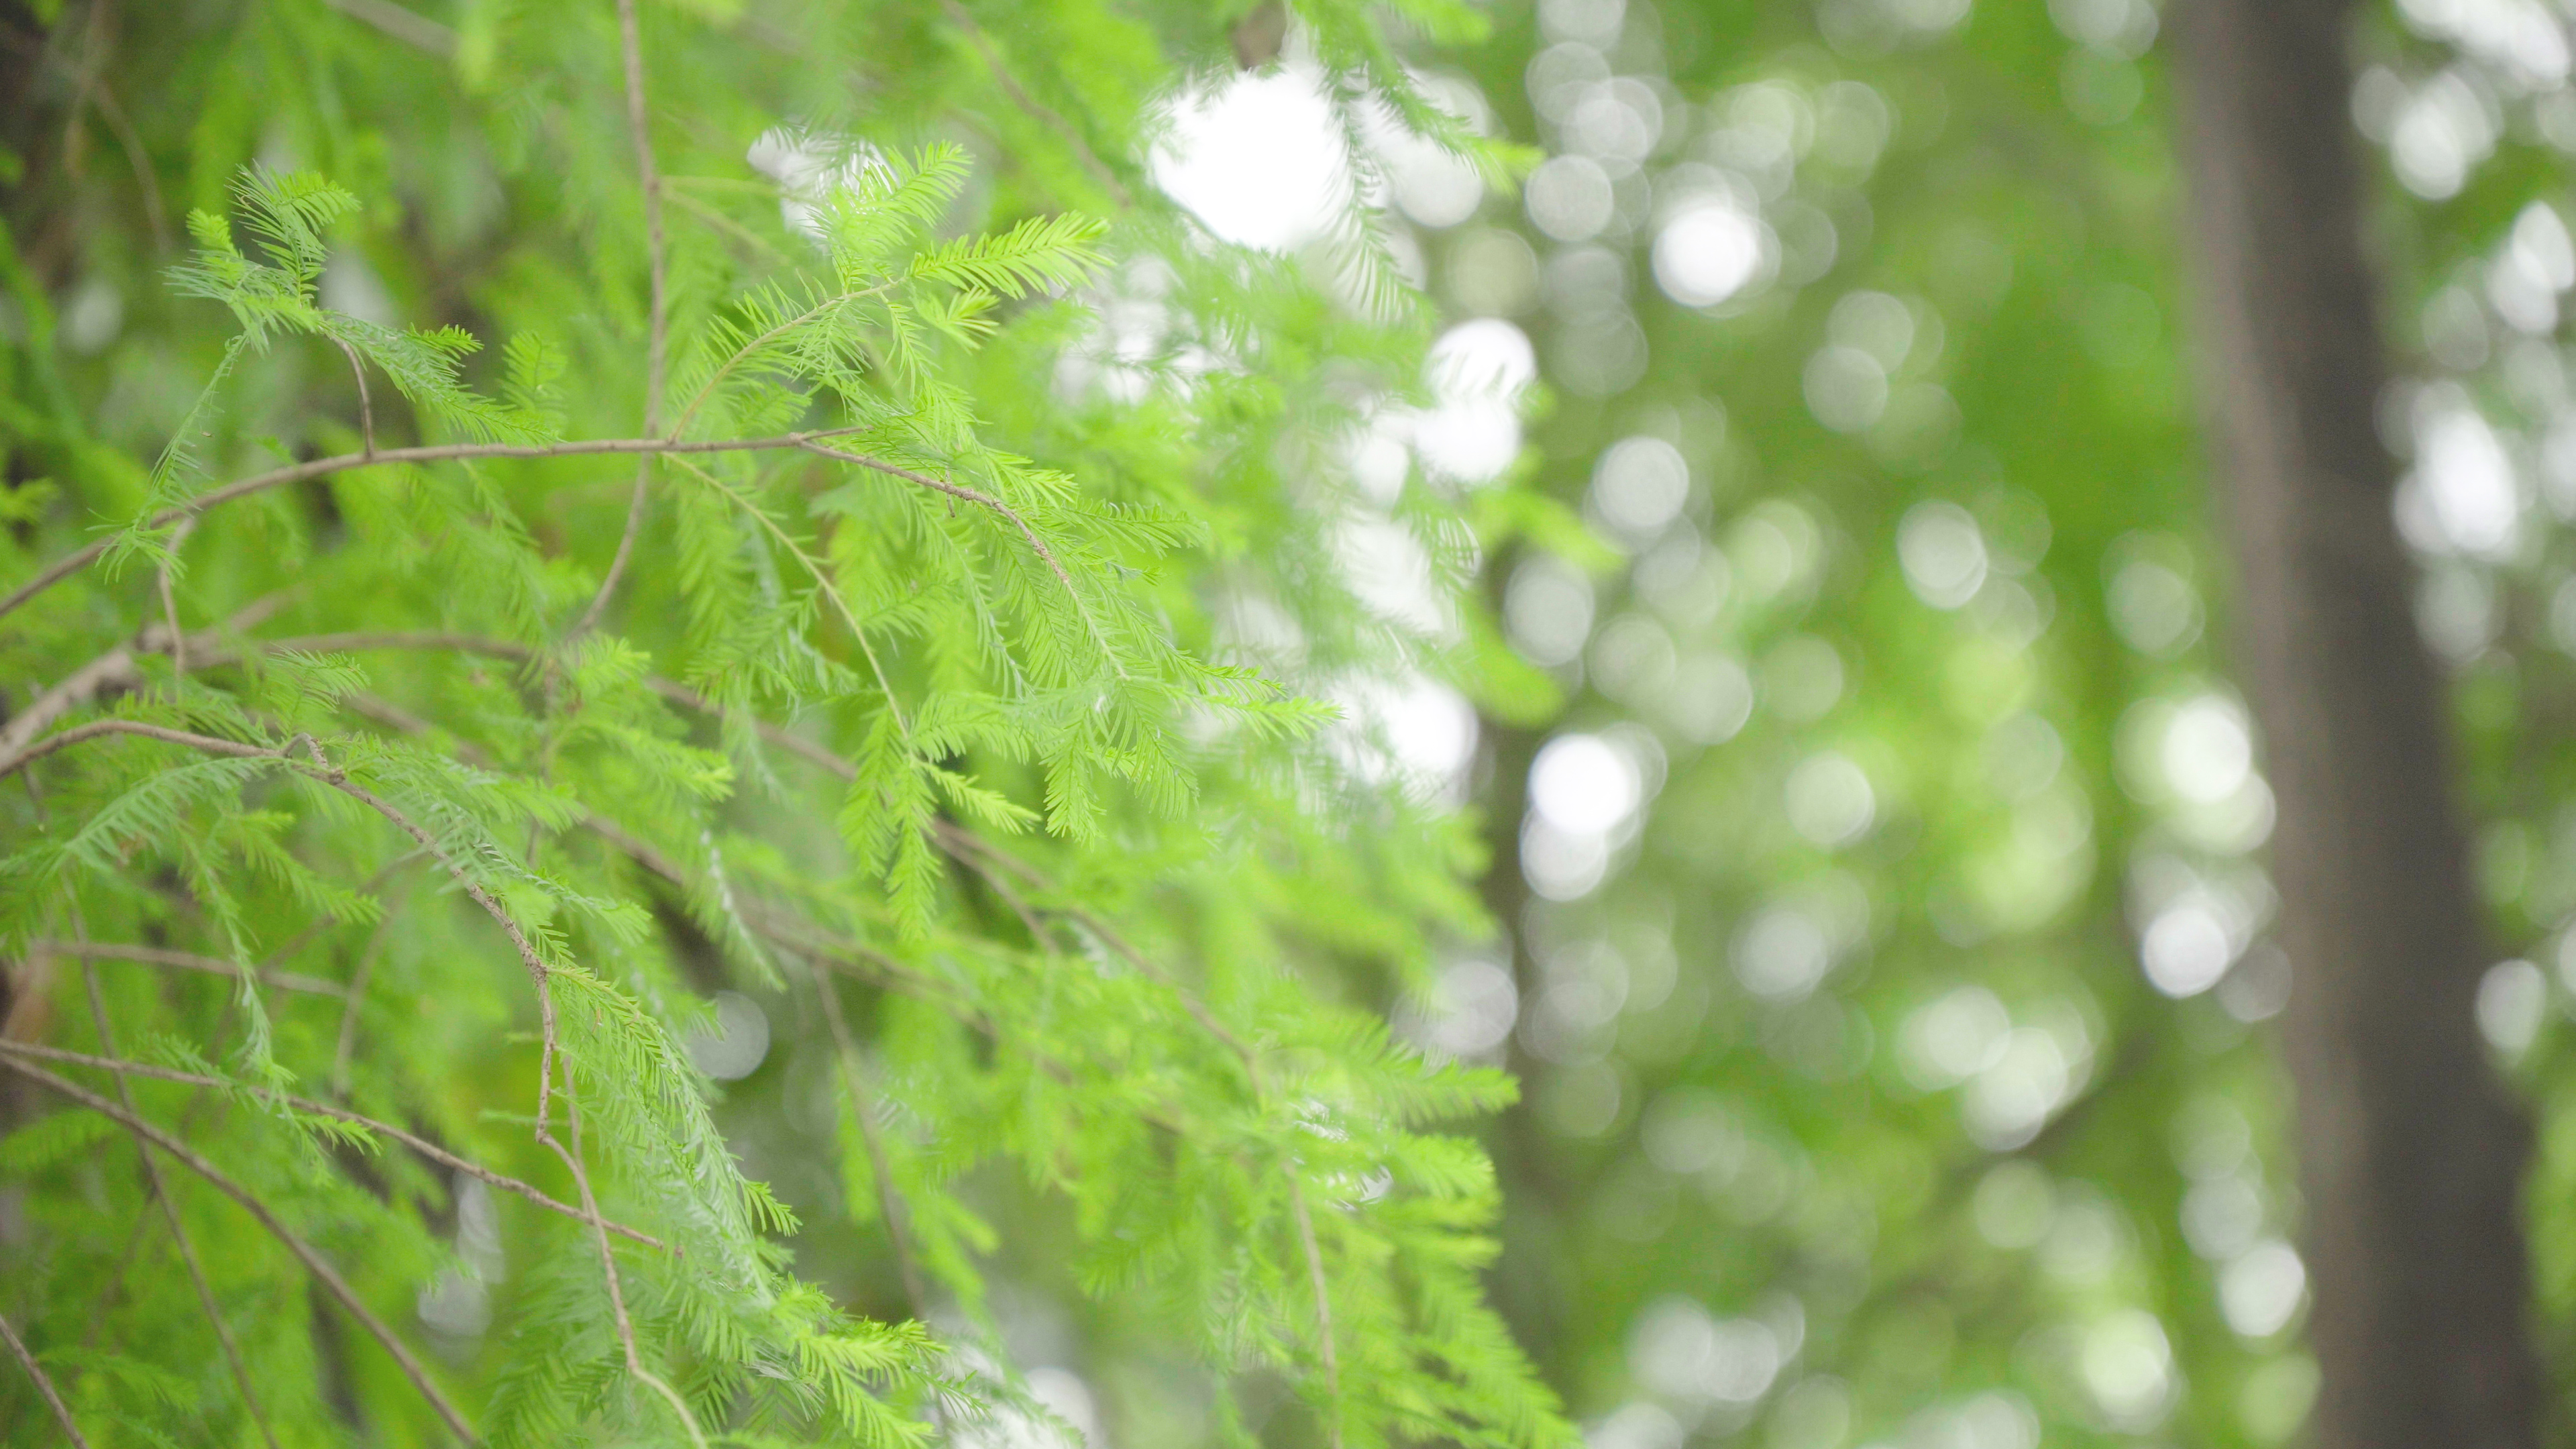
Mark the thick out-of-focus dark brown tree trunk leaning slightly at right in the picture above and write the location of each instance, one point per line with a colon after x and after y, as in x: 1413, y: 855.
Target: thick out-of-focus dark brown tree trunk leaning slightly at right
x: 2410, y: 1154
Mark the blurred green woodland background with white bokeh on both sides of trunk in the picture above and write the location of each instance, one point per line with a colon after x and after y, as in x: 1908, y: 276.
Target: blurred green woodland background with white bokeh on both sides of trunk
x: 1900, y: 1064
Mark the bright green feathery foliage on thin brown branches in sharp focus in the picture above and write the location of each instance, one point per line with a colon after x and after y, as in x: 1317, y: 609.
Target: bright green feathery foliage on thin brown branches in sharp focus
x: 439, y: 770
